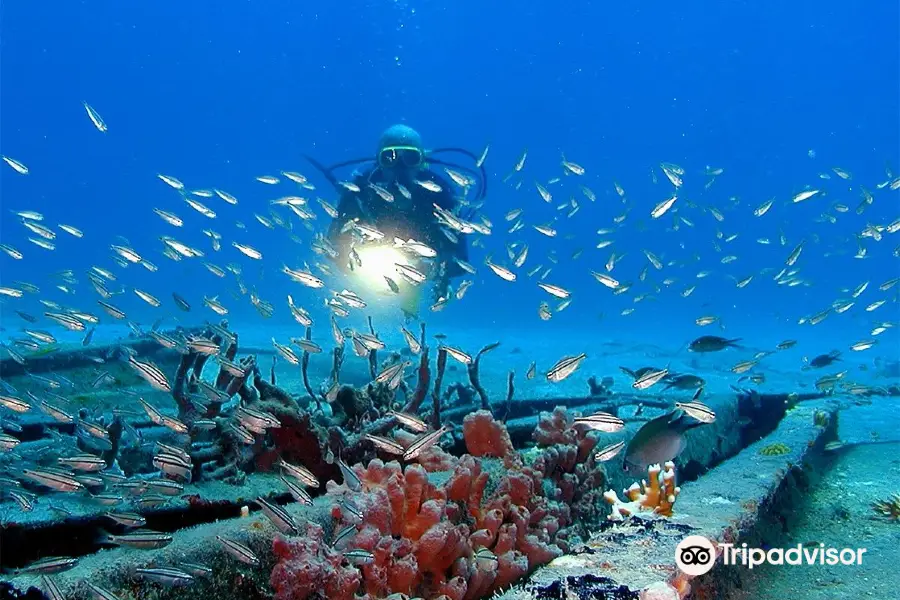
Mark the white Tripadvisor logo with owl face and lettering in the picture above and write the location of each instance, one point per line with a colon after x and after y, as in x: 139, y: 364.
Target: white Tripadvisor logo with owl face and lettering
x: 696, y: 555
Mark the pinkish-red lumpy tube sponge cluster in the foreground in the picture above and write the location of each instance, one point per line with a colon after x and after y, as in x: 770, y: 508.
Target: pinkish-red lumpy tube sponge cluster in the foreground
x: 410, y: 536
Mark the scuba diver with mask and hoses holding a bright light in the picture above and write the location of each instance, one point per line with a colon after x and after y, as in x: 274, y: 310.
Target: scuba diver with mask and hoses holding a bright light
x: 397, y: 196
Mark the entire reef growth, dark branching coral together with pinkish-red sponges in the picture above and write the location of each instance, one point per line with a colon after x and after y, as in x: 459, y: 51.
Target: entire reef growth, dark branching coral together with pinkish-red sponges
x: 495, y: 515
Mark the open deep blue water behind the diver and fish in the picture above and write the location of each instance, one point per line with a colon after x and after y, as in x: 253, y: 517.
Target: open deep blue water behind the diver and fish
x: 220, y: 93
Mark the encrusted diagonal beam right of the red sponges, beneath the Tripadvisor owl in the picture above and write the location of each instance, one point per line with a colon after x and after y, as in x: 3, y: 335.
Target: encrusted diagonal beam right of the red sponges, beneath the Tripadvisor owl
x: 732, y: 503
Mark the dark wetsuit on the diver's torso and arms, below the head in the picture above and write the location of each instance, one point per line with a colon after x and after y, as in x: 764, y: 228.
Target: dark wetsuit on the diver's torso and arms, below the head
x: 415, y: 220
